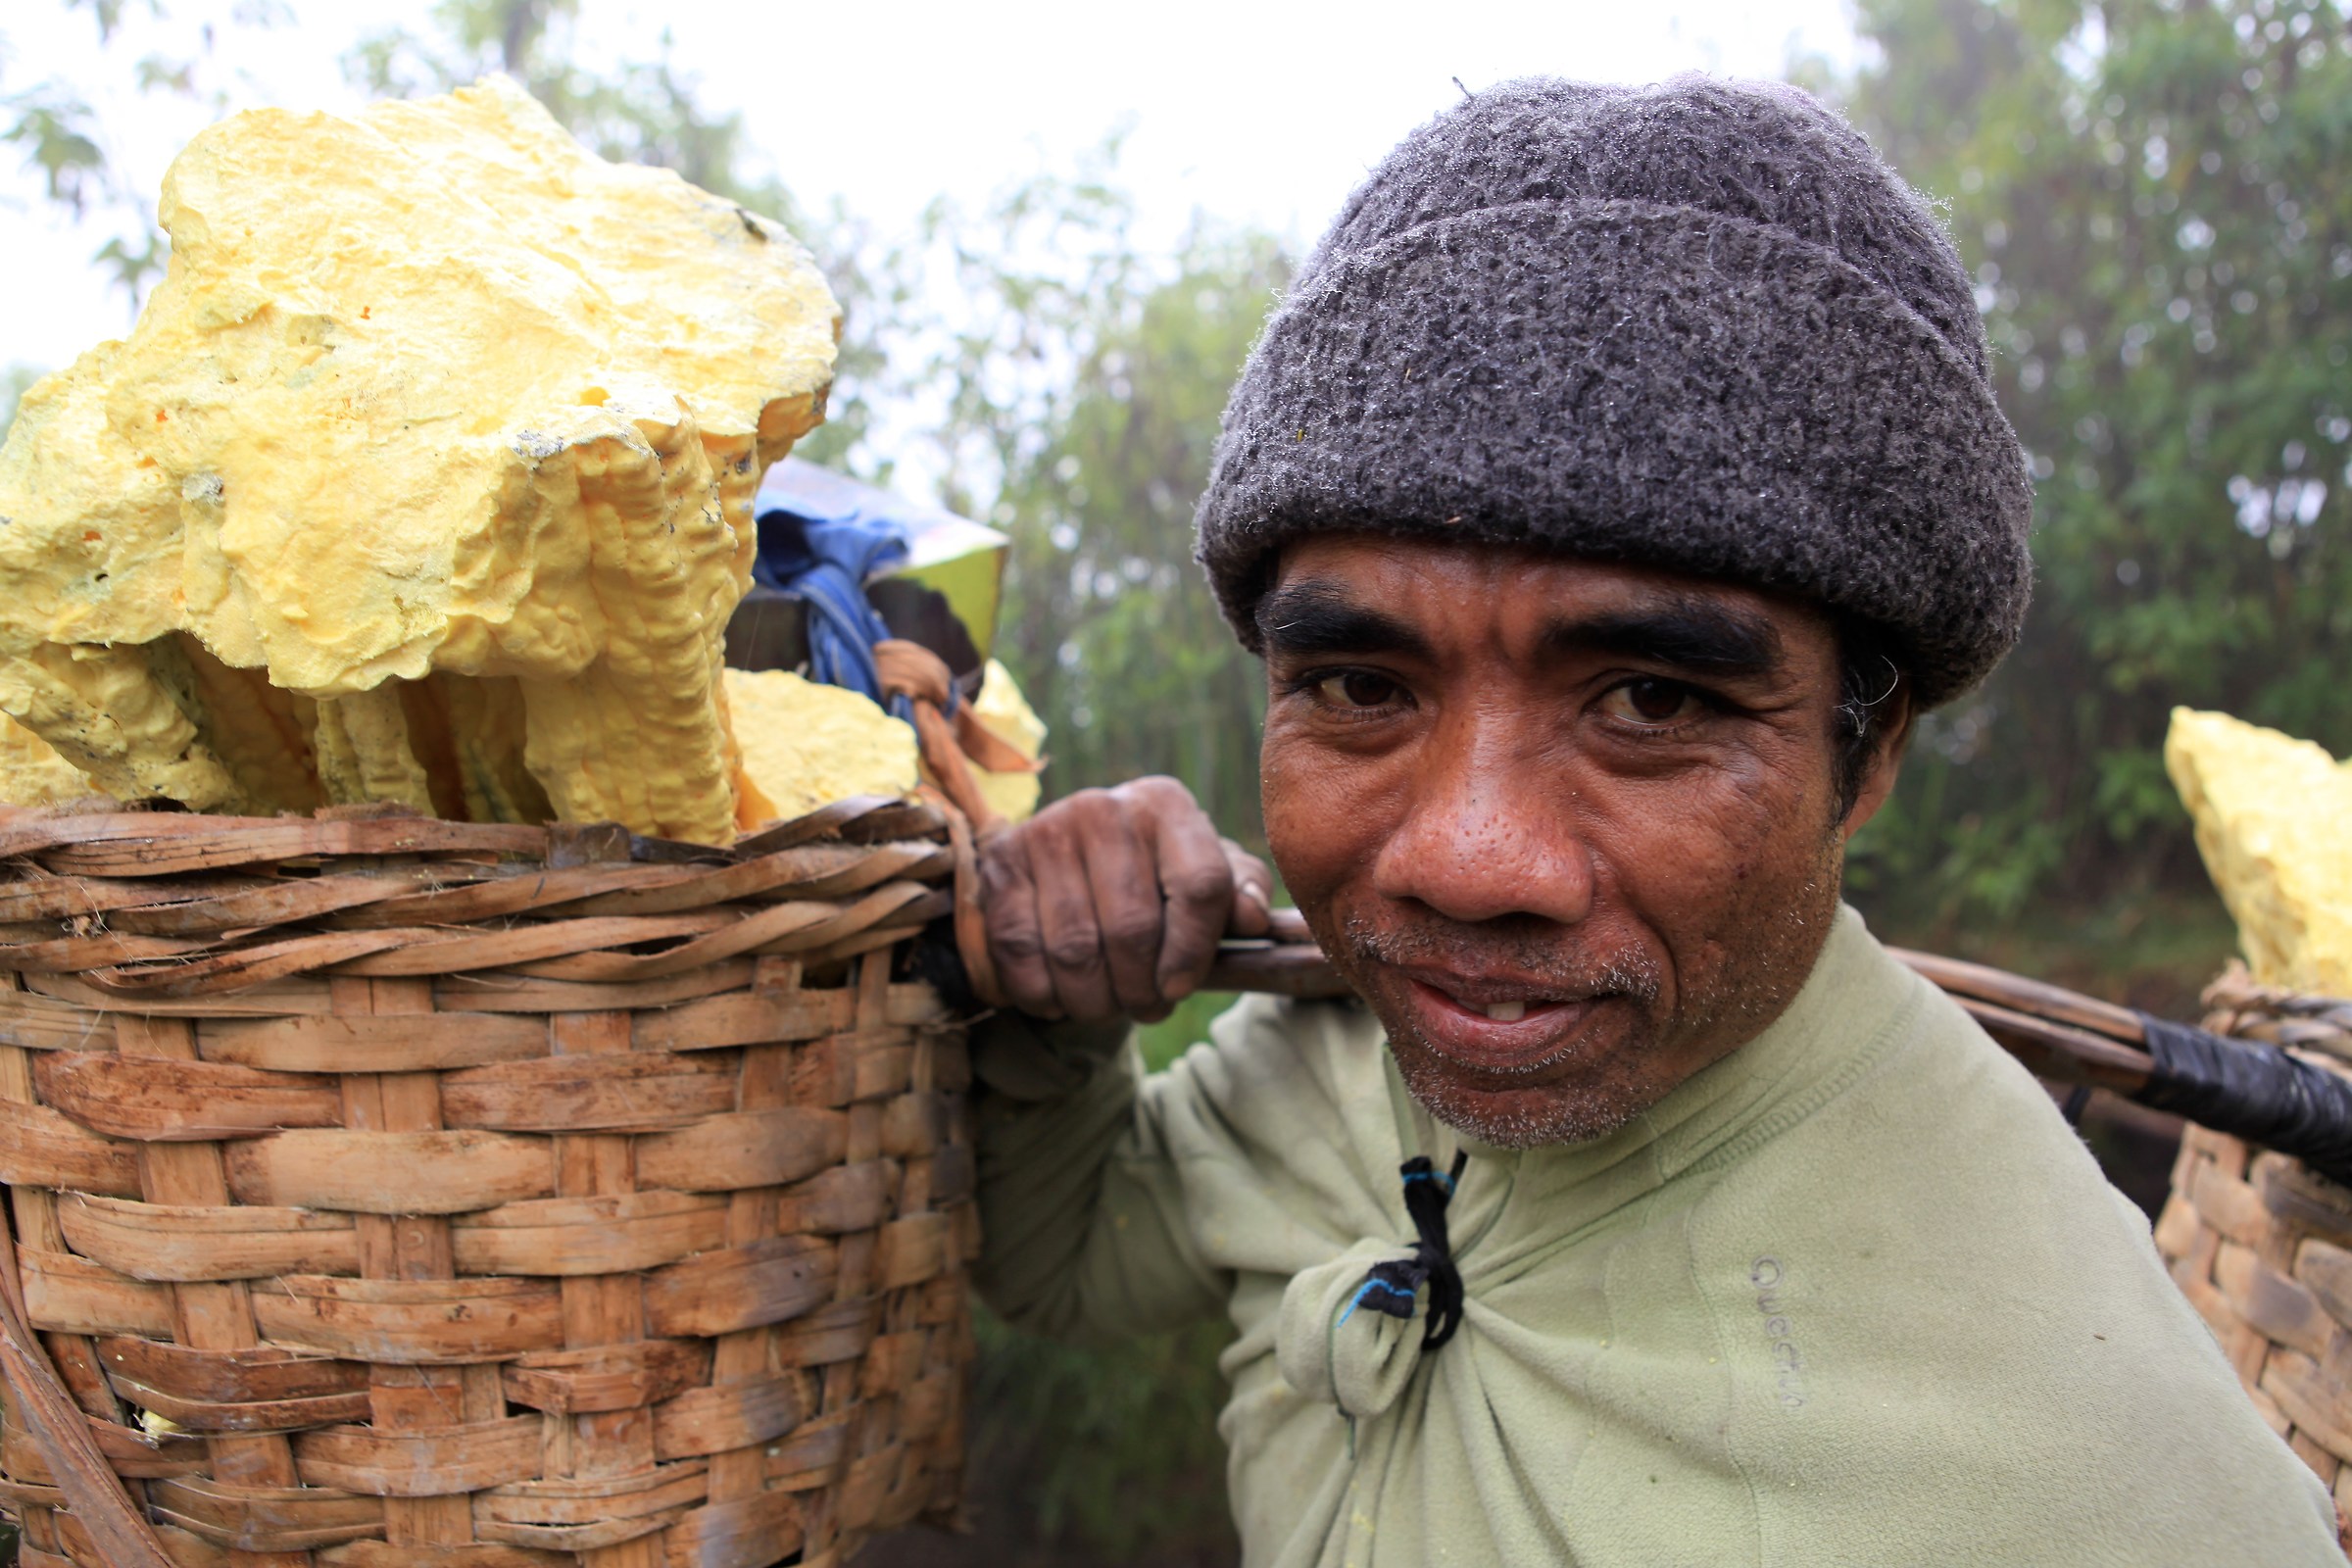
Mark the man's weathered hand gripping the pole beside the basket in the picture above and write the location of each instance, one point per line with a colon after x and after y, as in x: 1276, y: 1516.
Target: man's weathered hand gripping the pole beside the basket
x: 1109, y: 904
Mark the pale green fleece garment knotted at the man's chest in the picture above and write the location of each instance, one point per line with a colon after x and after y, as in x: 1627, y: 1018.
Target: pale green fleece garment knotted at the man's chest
x: 1852, y: 1296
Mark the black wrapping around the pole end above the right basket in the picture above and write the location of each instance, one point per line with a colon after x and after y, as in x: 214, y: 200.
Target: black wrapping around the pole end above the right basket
x: 2259, y: 1094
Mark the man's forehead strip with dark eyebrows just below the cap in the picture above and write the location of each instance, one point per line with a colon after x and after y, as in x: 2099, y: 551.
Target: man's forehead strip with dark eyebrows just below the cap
x: 1412, y: 601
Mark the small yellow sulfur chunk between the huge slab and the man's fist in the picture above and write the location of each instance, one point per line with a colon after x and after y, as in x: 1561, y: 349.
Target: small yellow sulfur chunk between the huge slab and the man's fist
x: 808, y: 744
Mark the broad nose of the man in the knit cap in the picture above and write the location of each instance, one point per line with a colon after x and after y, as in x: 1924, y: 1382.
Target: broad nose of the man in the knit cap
x: 1488, y: 833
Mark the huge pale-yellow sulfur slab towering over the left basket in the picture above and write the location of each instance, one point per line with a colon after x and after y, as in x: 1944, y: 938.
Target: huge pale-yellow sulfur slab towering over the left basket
x: 429, y: 394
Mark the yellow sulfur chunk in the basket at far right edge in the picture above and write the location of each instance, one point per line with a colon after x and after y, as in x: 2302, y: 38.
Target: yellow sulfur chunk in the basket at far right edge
x: 2276, y: 831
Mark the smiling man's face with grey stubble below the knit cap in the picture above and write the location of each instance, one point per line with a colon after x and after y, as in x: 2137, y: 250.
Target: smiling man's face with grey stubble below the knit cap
x: 1570, y: 829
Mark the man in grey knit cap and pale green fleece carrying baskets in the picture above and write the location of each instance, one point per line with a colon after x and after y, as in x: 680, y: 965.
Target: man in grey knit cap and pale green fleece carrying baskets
x: 1608, y: 497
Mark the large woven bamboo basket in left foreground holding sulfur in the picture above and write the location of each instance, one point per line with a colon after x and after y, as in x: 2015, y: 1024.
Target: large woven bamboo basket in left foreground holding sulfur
x: 410, y: 1193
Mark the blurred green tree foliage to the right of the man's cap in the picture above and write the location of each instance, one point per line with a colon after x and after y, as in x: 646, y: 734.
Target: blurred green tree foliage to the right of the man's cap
x: 2156, y: 199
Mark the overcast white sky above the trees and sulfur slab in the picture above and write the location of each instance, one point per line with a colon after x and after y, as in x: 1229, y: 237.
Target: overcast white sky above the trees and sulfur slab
x: 1243, y: 109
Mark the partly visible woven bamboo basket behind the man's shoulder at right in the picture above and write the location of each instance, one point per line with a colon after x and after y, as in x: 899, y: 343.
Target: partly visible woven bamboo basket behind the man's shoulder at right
x: 2264, y: 1245
